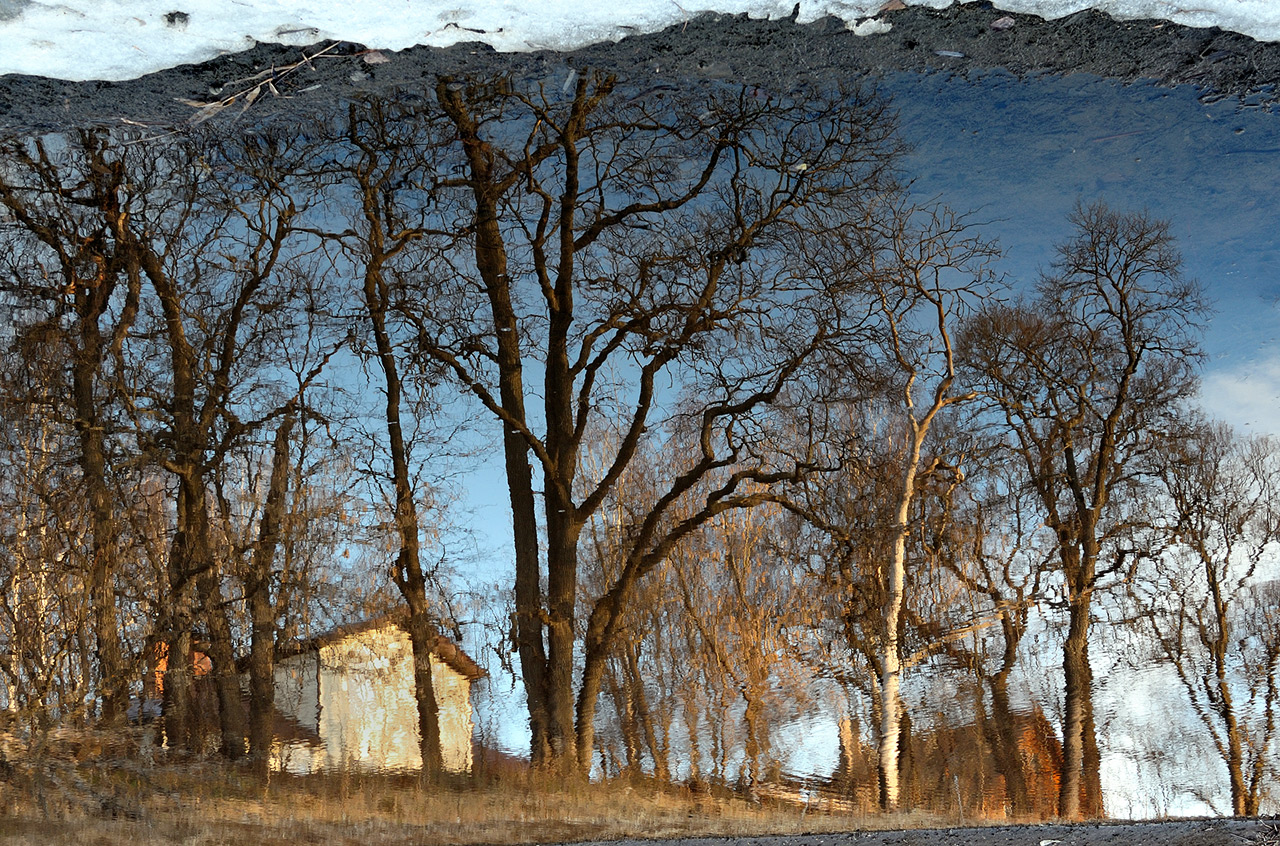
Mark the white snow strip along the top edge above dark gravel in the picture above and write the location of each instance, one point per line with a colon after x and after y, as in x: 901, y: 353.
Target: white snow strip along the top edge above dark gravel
x: 127, y: 39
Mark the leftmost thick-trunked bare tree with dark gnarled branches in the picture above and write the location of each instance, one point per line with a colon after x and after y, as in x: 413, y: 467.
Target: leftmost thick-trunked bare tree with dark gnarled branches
x: 70, y: 269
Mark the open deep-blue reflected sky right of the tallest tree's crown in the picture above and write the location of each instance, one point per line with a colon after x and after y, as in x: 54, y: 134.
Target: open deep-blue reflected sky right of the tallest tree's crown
x: 1022, y: 153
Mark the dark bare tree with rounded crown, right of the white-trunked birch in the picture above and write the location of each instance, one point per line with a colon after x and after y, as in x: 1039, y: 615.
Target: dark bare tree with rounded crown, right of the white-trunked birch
x: 1084, y: 379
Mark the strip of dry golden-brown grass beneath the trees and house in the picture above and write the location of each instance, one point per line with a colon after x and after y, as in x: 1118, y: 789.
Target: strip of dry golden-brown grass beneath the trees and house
x: 217, y: 806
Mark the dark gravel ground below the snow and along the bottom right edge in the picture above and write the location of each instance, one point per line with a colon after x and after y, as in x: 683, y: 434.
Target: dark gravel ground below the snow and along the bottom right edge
x: 775, y: 54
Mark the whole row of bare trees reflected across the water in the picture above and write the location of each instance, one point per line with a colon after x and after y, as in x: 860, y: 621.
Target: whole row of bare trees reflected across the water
x: 770, y: 428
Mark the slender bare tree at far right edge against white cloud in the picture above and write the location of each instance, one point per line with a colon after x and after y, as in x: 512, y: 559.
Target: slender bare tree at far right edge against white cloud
x: 1204, y: 601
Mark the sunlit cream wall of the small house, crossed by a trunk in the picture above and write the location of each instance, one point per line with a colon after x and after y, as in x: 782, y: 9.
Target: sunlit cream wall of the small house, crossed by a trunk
x: 368, y: 715
